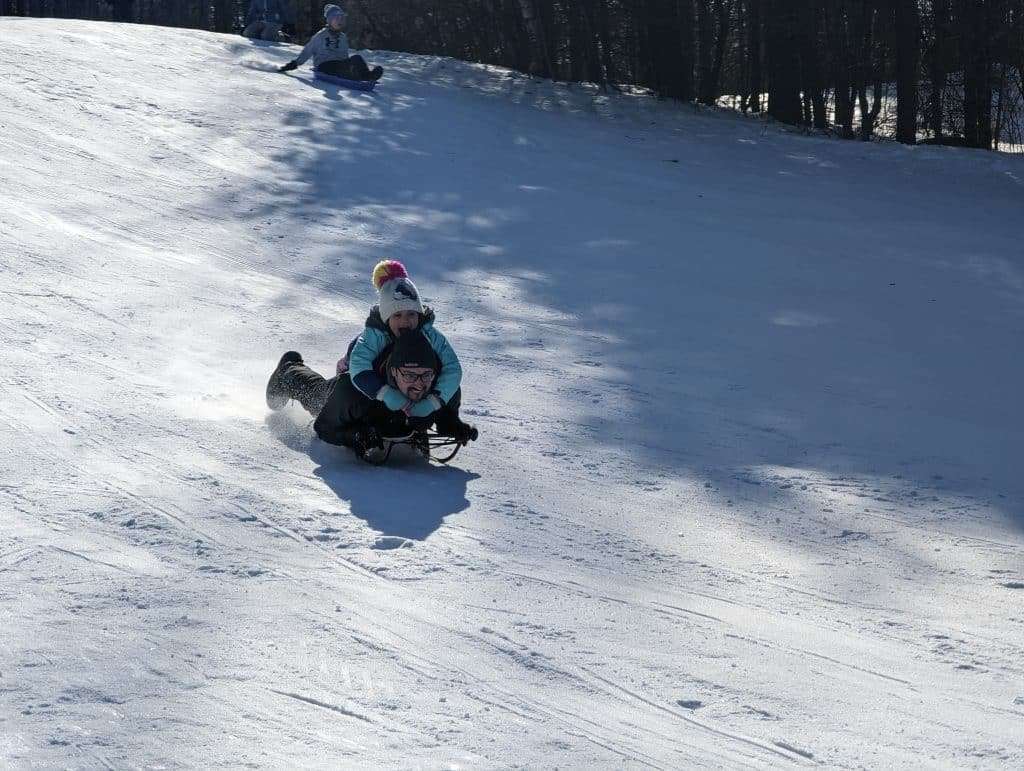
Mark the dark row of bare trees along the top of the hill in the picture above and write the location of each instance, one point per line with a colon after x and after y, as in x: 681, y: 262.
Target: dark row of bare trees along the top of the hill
x: 943, y: 71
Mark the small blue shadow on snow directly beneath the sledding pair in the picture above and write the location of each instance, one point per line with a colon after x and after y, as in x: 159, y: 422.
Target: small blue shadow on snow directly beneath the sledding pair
x: 408, y: 500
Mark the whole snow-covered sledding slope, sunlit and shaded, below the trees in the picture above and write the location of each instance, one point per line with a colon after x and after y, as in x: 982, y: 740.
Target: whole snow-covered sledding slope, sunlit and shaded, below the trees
x: 748, y: 489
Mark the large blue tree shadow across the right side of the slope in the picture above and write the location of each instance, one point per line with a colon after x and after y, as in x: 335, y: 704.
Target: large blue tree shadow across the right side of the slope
x: 700, y: 304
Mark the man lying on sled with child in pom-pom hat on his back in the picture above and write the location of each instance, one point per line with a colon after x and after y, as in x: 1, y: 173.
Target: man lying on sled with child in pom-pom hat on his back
x: 401, y: 376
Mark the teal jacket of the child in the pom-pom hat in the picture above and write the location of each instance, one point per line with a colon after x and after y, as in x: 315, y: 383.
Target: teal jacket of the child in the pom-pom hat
x: 377, y: 338
